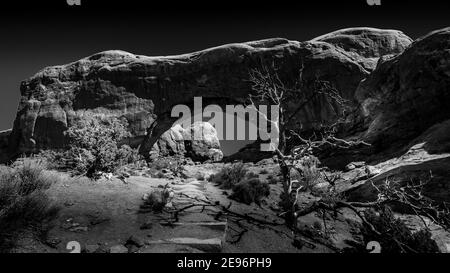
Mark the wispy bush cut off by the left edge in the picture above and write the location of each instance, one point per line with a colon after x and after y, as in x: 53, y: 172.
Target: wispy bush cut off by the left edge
x: 24, y: 204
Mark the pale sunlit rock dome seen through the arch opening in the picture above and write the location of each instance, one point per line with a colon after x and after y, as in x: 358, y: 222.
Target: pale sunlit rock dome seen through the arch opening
x: 199, y: 142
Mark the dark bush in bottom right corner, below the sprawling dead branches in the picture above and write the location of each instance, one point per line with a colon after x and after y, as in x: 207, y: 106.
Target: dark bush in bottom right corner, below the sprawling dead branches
x: 395, y: 236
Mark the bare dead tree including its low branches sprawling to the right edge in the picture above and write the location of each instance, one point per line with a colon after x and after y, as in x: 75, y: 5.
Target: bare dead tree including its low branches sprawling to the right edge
x: 270, y: 89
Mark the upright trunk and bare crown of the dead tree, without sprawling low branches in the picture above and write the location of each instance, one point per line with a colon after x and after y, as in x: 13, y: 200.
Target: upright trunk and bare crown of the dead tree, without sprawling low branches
x: 270, y: 89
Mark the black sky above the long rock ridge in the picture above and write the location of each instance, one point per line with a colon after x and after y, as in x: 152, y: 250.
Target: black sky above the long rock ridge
x: 43, y: 33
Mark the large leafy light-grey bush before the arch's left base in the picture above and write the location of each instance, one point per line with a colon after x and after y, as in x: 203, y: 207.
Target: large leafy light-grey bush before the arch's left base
x: 95, y: 145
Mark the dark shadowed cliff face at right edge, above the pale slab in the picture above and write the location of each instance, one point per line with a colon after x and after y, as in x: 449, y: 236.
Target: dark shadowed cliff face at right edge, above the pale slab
x: 407, y: 94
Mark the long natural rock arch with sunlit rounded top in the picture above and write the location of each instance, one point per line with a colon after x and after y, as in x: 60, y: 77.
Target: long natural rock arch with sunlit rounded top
x: 144, y: 89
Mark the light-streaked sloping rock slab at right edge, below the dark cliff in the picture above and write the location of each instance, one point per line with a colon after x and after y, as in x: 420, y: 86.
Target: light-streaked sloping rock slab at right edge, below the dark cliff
x: 425, y: 160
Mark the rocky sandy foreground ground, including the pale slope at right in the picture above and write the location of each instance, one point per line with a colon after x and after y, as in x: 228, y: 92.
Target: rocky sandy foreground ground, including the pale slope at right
x: 107, y: 215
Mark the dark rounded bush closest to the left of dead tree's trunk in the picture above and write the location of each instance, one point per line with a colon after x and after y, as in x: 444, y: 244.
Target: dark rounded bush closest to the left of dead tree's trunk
x: 250, y: 191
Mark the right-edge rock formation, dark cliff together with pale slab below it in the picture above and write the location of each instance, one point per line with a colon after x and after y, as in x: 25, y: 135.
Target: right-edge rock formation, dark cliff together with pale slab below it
x: 404, y: 106
